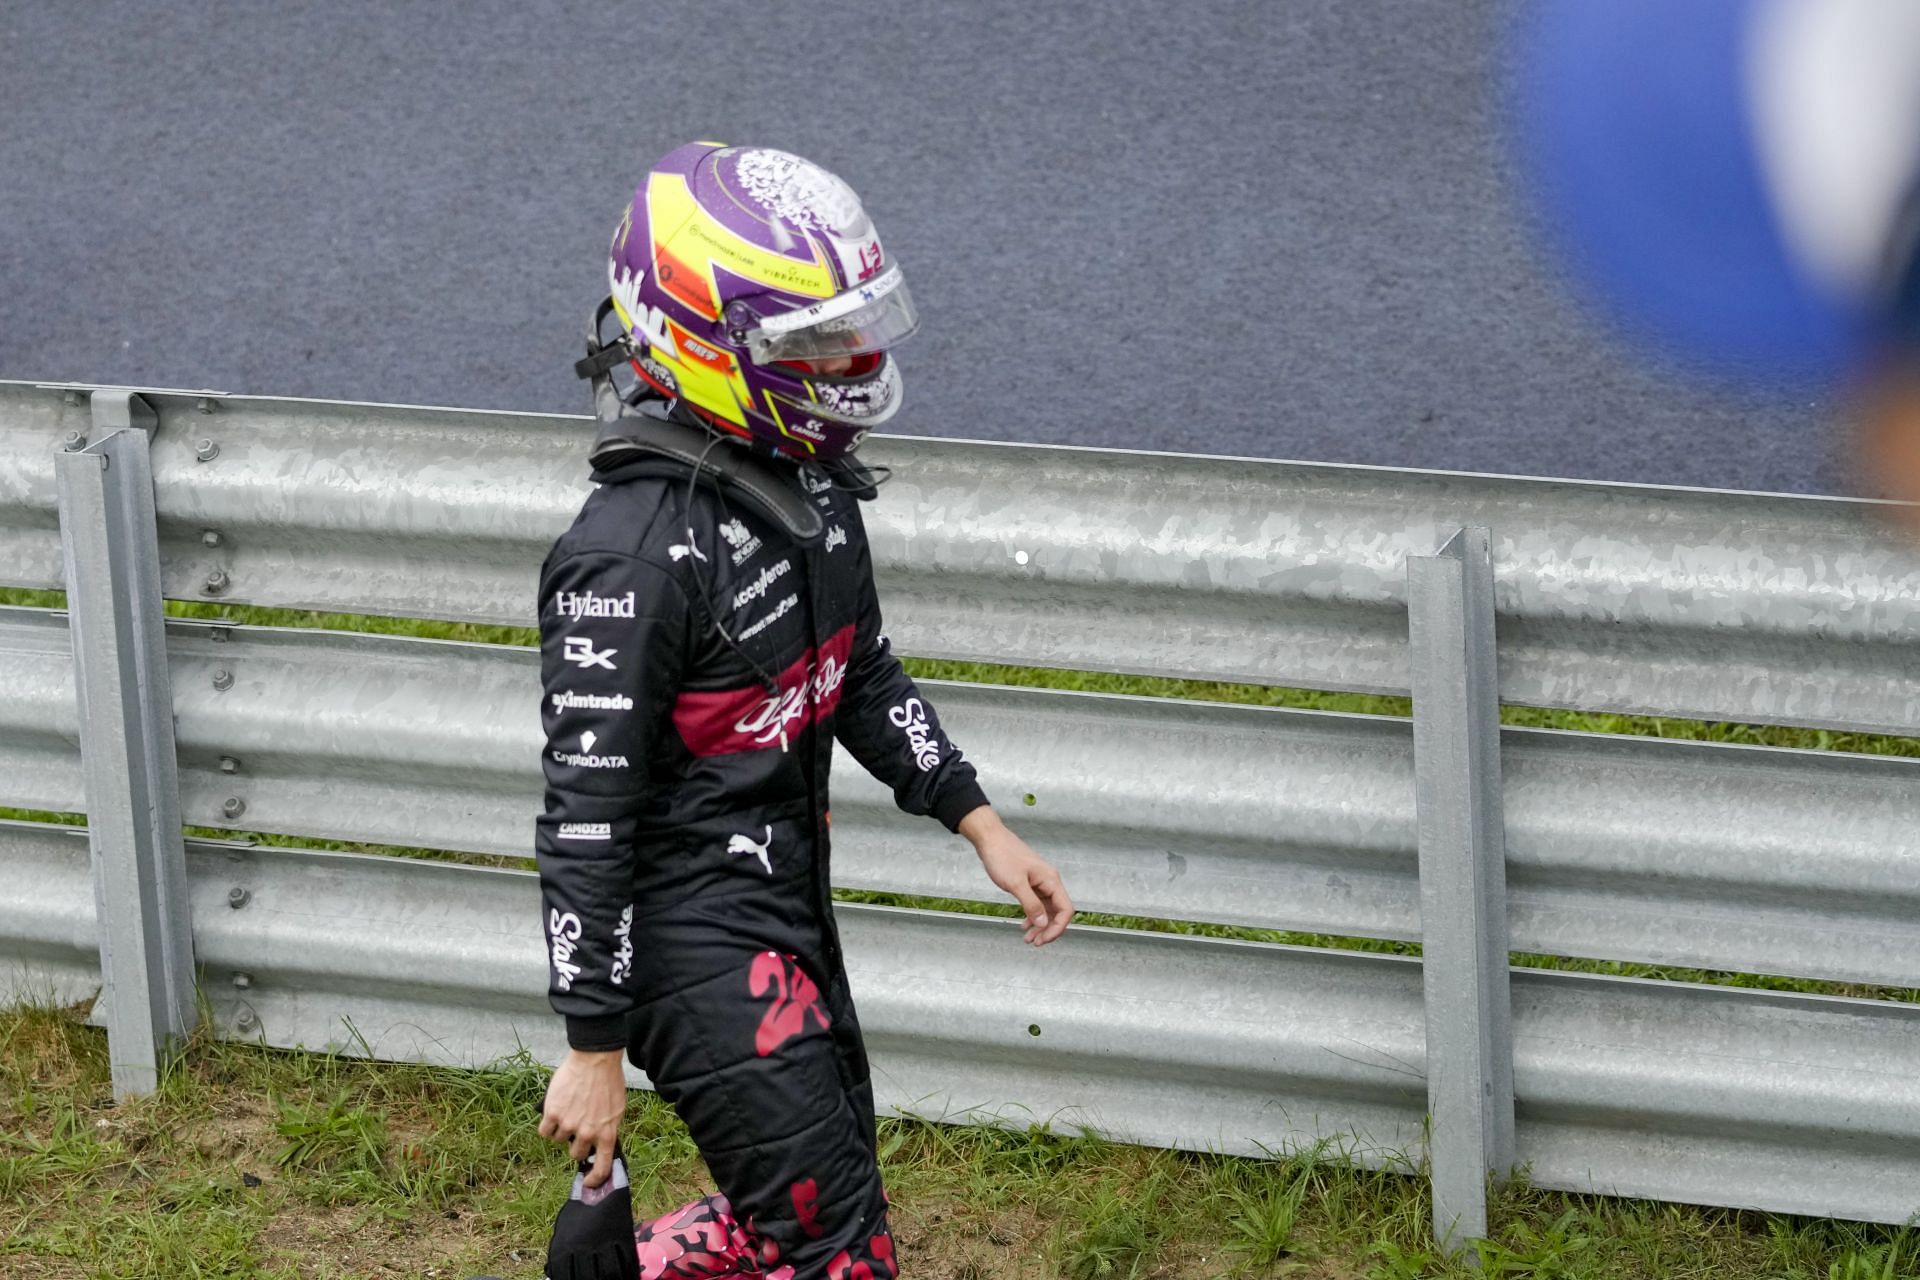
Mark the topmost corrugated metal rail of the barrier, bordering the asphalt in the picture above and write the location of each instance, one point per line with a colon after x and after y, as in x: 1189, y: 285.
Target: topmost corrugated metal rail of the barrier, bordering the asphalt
x: 1612, y: 598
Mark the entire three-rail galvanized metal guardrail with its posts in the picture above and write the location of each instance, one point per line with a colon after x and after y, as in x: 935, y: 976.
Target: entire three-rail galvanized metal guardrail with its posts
x: 1608, y: 598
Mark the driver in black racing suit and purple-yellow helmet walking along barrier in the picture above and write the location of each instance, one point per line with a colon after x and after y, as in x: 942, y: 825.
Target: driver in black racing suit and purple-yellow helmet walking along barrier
x: 709, y: 630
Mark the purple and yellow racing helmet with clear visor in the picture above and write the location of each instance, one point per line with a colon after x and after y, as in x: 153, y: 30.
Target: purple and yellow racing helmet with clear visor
x: 742, y: 275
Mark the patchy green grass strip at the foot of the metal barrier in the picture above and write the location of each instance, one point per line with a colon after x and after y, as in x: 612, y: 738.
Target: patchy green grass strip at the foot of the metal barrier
x: 254, y: 1162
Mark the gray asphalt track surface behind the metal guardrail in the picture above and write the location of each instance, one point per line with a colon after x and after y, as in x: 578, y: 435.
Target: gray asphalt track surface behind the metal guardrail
x: 1228, y: 227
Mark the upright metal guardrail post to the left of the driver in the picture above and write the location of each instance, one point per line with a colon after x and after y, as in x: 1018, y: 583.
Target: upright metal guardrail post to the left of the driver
x: 133, y: 801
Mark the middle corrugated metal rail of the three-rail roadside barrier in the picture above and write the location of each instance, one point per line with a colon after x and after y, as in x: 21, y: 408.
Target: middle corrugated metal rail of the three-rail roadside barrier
x: 1700, y: 855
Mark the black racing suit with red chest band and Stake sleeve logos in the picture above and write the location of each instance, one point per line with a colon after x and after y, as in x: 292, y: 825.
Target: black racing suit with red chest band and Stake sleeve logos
x: 684, y: 843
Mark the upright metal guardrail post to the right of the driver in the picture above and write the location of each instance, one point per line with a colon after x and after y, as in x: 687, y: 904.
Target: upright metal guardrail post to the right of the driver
x: 1464, y: 882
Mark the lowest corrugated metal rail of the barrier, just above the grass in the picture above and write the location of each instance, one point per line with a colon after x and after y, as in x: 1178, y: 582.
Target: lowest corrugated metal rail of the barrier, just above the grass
x: 1650, y: 1089
